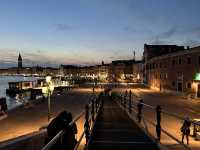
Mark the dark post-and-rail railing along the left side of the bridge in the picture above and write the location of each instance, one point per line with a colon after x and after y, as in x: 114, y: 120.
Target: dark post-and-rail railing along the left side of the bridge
x: 91, y: 112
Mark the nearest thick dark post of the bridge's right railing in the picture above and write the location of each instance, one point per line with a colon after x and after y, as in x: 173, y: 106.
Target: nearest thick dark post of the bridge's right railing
x: 158, y: 125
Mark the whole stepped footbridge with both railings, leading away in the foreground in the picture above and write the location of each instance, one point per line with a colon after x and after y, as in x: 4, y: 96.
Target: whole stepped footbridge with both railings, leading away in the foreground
x: 111, y: 121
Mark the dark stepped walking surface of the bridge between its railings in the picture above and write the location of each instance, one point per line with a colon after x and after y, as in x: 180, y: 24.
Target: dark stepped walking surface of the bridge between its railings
x: 115, y: 130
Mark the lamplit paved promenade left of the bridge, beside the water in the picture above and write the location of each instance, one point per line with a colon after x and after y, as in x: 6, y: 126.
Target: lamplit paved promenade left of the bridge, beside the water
x: 22, y: 120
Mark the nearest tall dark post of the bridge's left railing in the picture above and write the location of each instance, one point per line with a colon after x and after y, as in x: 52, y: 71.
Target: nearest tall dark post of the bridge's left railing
x: 87, y: 125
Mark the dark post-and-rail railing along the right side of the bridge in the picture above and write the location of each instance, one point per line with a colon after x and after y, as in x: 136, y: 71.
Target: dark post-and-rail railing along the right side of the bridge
x: 138, y: 107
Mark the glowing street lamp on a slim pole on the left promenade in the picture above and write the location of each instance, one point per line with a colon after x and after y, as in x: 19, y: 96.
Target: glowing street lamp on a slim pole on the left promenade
x: 47, y: 92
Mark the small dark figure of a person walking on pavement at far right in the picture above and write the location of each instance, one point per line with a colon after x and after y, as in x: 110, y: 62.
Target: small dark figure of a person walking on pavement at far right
x: 185, y: 129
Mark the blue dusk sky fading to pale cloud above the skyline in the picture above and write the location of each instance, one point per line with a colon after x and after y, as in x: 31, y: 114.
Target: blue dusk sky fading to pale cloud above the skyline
x: 53, y: 32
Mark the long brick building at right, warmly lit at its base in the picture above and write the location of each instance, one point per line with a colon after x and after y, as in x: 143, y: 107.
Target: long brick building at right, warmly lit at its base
x: 175, y: 70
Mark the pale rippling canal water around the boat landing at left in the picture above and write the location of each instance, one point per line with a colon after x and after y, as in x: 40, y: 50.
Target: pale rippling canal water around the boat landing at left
x: 12, y: 102
